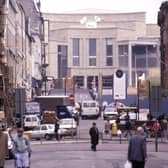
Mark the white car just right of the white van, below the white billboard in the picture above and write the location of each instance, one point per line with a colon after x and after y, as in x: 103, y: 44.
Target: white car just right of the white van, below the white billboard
x: 110, y: 112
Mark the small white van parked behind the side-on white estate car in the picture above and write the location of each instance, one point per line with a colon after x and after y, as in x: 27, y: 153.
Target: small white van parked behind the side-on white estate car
x: 31, y: 121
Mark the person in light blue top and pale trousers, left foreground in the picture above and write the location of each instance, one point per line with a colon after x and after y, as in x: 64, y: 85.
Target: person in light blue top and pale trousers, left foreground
x: 22, y: 150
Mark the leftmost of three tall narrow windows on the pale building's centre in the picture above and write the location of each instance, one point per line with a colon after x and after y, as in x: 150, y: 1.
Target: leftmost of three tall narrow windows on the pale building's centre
x: 76, y: 51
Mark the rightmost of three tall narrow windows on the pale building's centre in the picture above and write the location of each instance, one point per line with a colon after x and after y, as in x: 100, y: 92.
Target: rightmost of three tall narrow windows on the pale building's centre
x: 109, y: 52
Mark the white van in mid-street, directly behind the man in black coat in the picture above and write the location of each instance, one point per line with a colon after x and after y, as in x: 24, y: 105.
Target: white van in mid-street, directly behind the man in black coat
x: 90, y: 109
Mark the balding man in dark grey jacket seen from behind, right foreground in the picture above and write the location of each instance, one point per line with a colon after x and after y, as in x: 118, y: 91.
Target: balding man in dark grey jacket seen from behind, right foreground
x: 137, y: 150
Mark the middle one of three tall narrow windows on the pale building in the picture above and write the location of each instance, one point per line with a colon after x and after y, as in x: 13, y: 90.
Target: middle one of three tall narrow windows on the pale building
x: 92, y: 52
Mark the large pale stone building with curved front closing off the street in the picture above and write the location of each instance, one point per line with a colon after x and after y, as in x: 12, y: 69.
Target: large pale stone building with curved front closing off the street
x: 92, y: 44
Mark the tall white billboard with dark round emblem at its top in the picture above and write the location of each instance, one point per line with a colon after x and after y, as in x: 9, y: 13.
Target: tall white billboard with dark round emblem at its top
x: 119, y: 88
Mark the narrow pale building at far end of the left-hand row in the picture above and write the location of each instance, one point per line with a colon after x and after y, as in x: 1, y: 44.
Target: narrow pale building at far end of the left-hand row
x: 35, y: 22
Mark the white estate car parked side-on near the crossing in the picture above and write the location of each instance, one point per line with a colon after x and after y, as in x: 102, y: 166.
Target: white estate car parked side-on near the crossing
x: 46, y: 131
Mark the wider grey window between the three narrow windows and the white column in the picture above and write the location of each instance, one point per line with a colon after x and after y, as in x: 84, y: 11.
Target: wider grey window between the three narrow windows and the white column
x: 123, y: 55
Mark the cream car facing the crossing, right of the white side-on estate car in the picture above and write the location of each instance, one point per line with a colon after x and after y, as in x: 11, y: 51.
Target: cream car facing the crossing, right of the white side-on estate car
x: 67, y: 127
